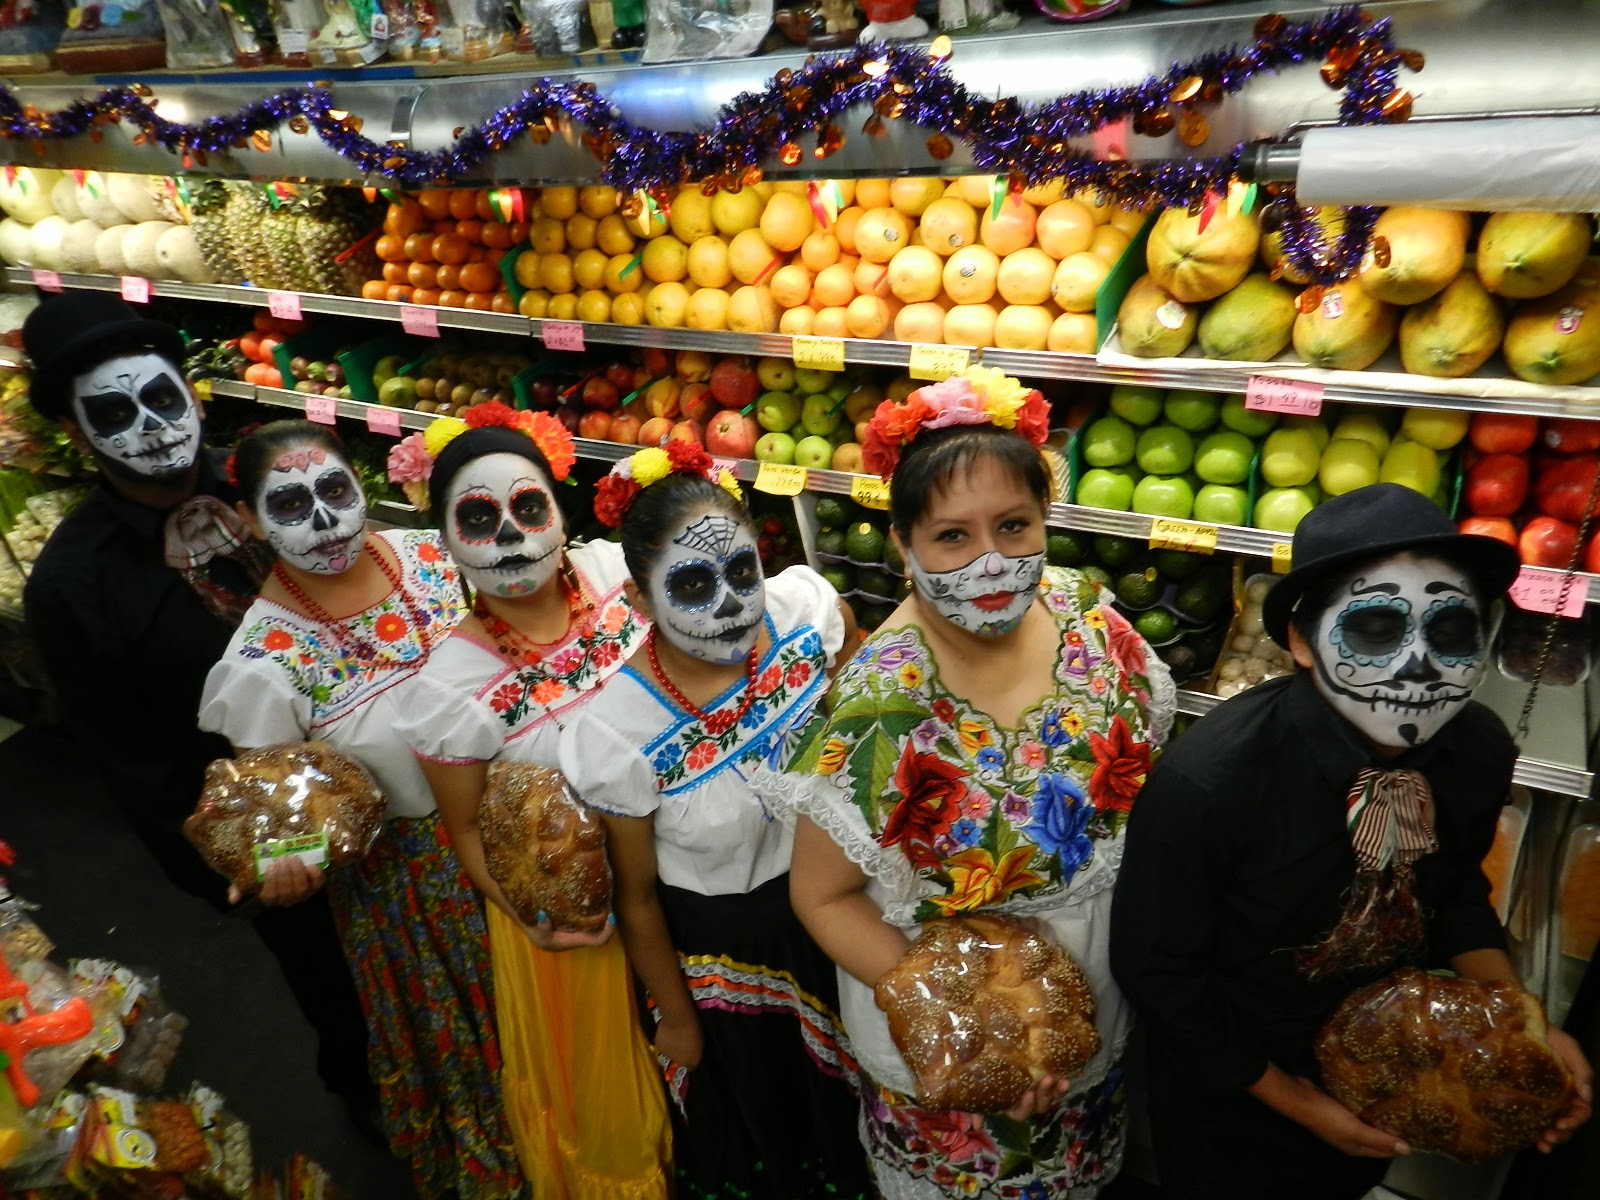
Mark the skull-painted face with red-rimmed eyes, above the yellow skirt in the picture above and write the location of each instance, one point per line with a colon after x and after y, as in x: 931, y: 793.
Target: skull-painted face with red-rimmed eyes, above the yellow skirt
x: 505, y: 530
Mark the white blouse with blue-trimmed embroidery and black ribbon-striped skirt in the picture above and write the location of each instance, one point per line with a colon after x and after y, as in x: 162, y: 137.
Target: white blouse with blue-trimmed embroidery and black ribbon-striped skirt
x: 770, y: 1110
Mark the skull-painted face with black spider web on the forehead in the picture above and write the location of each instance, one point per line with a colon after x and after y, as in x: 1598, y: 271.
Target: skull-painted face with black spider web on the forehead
x: 708, y: 594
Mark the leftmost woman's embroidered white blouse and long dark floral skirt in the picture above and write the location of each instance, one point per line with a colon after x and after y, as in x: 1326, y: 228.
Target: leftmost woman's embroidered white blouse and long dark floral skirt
x: 412, y: 926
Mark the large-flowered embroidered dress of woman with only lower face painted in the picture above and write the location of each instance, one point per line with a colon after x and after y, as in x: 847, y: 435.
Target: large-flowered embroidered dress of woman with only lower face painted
x: 951, y: 814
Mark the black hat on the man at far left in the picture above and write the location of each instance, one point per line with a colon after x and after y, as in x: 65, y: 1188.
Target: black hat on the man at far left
x: 79, y: 330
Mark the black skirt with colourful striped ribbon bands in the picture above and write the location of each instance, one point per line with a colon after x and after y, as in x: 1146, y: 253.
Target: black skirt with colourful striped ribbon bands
x: 770, y: 1111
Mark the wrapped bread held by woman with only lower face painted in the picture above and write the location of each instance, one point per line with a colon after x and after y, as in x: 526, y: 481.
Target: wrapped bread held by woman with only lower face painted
x: 985, y: 1007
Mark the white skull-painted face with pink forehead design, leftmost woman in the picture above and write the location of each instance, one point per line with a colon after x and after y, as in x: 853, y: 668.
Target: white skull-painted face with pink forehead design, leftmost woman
x: 313, y: 511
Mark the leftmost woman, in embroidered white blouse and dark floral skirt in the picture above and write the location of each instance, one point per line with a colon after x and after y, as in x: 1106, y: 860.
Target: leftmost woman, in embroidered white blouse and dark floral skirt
x: 332, y: 652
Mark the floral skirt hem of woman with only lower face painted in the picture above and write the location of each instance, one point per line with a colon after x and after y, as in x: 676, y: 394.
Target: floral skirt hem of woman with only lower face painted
x: 929, y: 1156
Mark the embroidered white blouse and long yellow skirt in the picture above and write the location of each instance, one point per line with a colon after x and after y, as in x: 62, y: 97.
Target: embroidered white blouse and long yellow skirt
x: 582, y: 1089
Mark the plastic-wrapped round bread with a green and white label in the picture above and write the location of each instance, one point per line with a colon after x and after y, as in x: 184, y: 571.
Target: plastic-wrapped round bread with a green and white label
x: 298, y: 791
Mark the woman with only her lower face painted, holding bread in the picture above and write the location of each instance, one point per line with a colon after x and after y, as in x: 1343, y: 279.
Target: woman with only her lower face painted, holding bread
x: 978, y: 759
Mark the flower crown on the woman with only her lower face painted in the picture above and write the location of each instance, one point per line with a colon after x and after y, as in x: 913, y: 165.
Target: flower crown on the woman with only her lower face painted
x: 980, y: 396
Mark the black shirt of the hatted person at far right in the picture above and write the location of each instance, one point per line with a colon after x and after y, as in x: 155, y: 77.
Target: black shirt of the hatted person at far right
x: 1239, y: 852
